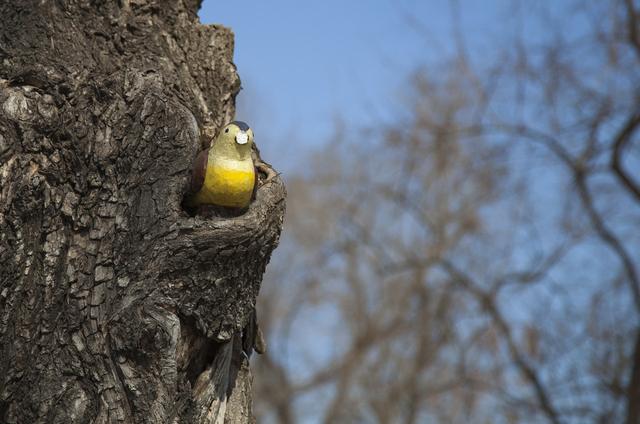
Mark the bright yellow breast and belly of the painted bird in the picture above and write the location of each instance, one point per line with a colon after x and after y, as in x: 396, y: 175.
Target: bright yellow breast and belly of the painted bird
x: 227, y: 183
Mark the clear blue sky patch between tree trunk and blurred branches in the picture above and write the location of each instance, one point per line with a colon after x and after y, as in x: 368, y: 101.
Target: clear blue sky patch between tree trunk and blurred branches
x: 304, y: 64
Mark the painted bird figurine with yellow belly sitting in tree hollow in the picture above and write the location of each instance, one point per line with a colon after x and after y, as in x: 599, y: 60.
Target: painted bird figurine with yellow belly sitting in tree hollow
x: 225, y: 174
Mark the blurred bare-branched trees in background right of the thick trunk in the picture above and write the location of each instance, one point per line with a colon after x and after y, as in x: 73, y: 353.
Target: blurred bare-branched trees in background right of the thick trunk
x: 476, y: 260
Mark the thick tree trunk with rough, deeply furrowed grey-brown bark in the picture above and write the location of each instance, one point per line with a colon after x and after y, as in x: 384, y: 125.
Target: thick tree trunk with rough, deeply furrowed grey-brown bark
x: 115, y: 304
